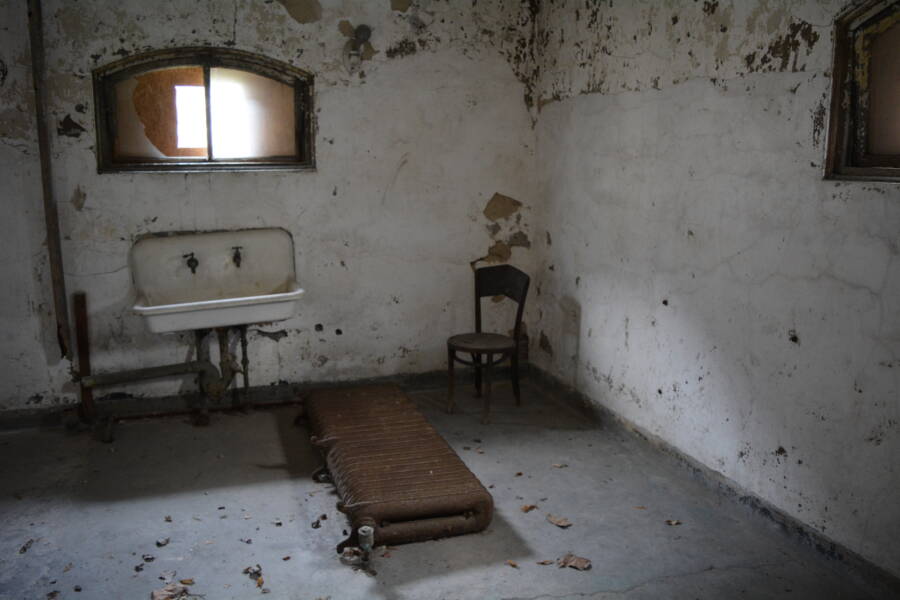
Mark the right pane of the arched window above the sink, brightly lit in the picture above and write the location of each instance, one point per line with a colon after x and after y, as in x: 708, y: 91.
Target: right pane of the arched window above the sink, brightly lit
x: 252, y: 116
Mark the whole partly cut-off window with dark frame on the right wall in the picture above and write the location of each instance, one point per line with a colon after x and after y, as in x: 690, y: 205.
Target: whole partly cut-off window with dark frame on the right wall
x: 864, y: 132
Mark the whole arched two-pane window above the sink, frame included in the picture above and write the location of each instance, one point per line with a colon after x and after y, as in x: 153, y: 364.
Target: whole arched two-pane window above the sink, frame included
x: 202, y: 109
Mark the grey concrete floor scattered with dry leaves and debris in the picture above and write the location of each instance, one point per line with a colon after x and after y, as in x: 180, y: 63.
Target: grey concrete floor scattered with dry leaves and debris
x: 239, y: 494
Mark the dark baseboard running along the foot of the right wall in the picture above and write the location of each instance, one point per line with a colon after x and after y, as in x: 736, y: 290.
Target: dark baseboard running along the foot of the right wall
x: 881, y: 578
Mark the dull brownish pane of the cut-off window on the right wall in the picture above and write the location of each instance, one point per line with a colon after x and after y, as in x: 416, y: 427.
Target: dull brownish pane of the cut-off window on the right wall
x: 884, y: 93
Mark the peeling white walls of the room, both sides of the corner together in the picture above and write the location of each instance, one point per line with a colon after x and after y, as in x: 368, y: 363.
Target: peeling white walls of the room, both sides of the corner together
x: 680, y: 152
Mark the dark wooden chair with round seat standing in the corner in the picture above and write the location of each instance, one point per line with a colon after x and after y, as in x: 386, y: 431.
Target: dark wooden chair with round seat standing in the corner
x: 503, y: 280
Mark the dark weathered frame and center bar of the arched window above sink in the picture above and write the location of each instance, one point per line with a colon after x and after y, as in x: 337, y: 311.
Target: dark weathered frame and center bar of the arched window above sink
x: 106, y: 77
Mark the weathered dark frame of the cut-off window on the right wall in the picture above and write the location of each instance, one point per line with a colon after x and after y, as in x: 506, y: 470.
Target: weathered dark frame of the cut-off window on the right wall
x: 847, y: 154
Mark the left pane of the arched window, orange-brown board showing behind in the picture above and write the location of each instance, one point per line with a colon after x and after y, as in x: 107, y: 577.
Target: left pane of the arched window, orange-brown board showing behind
x: 161, y: 114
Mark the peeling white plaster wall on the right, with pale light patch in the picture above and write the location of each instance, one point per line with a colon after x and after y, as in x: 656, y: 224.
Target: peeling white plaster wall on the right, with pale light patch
x: 699, y: 276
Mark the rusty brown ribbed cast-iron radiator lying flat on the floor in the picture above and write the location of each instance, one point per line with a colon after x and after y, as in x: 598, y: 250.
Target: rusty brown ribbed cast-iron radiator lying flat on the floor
x: 392, y: 469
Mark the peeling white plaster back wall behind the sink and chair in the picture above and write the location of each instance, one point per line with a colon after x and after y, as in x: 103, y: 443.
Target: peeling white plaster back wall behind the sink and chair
x: 409, y: 151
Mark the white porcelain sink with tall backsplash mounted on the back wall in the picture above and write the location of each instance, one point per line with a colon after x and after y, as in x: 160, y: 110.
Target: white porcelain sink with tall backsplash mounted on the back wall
x: 218, y: 293
